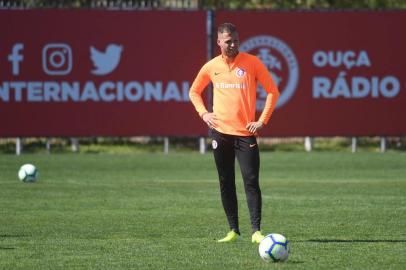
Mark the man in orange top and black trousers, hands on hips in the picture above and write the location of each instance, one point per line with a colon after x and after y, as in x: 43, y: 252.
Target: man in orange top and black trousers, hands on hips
x: 233, y: 126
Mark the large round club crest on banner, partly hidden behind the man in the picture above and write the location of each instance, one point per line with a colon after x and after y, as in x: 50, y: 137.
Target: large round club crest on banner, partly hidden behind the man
x: 281, y: 63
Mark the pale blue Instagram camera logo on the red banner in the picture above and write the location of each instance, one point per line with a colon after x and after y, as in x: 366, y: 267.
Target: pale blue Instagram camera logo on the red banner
x: 57, y: 59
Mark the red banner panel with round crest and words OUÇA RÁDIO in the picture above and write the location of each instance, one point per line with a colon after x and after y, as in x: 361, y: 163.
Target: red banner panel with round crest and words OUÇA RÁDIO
x: 339, y: 73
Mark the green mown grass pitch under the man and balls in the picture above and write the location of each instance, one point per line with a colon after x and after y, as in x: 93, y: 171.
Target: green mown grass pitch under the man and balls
x: 155, y: 211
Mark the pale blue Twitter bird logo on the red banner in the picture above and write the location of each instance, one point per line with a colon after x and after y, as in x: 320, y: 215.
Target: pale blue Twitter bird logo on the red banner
x: 105, y: 62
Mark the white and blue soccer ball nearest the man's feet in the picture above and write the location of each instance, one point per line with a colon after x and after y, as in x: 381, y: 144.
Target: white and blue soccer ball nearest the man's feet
x: 274, y: 248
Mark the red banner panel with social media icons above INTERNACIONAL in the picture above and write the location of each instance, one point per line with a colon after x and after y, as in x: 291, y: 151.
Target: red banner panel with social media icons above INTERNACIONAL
x: 107, y: 73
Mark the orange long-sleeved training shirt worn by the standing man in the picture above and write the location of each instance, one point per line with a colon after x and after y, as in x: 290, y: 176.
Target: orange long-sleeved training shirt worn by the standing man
x: 234, y: 92
